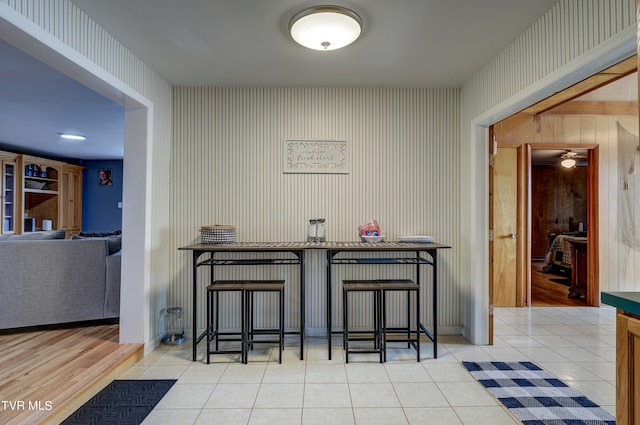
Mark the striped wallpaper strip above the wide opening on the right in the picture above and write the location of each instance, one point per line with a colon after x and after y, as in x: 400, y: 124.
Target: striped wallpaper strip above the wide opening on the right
x: 571, y: 29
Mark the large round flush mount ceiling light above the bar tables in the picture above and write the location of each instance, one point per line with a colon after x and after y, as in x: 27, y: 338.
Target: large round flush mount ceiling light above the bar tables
x: 325, y: 27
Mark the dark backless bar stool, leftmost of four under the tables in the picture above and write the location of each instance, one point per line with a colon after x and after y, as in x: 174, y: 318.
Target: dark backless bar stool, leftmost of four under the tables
x: 213, y: 318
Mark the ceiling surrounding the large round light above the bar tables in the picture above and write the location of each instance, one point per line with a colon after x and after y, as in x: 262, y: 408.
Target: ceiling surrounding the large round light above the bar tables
x: 405, y: 43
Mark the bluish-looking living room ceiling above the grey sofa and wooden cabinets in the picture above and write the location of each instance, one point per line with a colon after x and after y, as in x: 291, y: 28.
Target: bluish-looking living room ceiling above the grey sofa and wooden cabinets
x: 37, y: 103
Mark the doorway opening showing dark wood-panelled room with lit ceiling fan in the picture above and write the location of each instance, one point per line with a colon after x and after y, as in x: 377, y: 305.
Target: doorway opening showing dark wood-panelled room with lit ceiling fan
x: 561, y: 196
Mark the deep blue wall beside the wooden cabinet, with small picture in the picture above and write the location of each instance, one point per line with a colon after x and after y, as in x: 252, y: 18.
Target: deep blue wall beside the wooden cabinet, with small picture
x: 100, y: 212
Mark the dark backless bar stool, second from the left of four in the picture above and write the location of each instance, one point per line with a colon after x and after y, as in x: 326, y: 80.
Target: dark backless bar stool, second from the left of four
x: 250, y: 332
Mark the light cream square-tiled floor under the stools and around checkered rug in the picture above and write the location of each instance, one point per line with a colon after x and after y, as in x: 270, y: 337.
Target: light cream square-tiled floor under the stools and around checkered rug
x: 577, y: 344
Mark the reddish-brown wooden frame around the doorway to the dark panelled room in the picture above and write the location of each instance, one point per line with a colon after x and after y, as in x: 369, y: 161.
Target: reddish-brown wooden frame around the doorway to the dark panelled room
x: 593, y: 280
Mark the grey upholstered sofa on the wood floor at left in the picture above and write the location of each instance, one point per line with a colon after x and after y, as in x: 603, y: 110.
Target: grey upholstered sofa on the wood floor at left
x: 46, y: 279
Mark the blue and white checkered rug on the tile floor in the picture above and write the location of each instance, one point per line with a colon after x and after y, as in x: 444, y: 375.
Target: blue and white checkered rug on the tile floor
x: 536, y: 396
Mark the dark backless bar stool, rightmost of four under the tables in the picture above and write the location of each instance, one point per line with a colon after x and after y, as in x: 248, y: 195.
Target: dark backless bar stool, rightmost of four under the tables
x: 406, y: 333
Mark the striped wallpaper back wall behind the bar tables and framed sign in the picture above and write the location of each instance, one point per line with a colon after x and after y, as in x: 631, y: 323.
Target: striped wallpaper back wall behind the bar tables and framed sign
x: 228, y: 169
